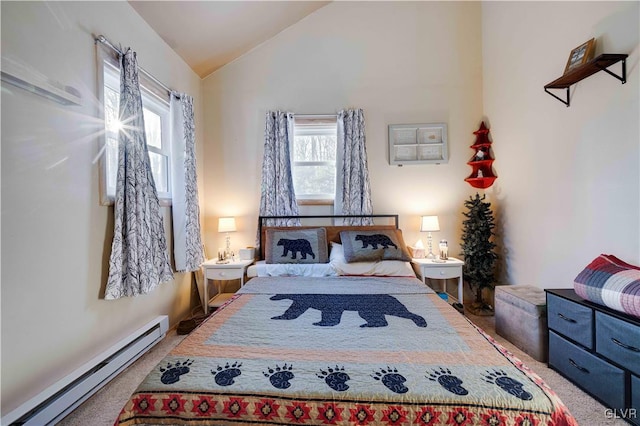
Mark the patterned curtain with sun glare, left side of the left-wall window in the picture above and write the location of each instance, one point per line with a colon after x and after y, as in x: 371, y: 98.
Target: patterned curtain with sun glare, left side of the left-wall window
x: 139, y: 260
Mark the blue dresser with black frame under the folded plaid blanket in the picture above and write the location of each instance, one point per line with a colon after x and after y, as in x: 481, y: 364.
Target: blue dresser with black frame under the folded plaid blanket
x: 598, y: 349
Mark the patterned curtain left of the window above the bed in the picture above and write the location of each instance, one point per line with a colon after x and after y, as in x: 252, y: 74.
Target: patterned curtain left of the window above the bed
x: 277, y: 194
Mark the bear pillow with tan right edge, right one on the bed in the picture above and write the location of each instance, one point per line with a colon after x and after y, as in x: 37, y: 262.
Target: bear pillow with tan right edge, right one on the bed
x: 367, y: 246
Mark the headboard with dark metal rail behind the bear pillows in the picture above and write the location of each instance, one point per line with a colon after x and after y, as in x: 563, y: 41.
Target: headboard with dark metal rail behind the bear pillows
x: 333, y: 231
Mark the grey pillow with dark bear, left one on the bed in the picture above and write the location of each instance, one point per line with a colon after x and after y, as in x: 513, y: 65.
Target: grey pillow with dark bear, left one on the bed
x: 296, y: 246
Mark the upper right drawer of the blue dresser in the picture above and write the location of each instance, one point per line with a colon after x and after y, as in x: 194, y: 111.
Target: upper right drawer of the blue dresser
x: 619, y: 341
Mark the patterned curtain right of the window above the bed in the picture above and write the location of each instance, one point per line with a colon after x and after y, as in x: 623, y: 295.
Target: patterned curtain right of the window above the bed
x: 353, y: 193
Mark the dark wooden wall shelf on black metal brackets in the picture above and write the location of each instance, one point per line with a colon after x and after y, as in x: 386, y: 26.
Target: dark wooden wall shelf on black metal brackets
x: 599, y: 63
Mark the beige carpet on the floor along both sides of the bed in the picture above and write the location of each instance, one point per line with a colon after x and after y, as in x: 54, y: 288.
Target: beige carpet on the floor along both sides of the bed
x: 103, y: 408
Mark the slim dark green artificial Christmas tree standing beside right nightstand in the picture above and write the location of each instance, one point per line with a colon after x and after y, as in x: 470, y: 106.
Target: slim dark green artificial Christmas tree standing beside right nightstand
x: 477, y: 247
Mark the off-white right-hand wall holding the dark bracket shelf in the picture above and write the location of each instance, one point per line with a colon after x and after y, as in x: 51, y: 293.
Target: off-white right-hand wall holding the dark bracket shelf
x: 569, y: 185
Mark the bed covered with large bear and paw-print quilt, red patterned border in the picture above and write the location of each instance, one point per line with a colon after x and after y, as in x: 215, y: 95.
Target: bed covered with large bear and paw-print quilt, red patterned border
x: 346, y: 349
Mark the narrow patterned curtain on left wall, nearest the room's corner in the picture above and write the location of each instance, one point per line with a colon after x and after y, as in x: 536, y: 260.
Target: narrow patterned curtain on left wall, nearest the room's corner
x: 187, y: 243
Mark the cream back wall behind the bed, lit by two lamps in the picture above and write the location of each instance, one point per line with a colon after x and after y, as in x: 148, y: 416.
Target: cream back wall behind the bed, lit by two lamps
x: 402, y: 62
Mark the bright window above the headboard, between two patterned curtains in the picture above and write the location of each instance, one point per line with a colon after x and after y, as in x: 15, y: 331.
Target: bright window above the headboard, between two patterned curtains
x: 314, y: 160
